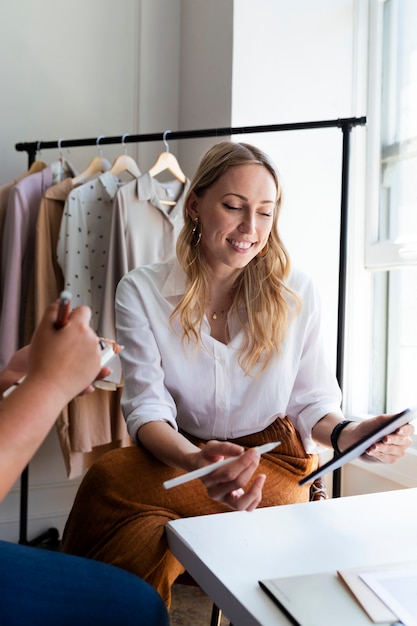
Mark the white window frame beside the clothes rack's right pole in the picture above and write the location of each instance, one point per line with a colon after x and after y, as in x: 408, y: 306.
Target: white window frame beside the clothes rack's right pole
x: 367, y: 255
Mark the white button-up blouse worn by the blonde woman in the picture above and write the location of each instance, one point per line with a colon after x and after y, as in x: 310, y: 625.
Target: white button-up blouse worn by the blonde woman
x: 203, y: 389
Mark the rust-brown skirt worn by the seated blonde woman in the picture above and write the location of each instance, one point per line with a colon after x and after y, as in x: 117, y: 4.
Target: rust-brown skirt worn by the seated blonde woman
x: 121, y: 507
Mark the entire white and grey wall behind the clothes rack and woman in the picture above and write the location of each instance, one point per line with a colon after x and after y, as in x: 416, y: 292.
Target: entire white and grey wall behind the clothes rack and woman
x: 83, y: 69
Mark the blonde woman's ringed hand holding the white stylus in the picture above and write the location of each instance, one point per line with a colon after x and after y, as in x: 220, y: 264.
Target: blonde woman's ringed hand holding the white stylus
x: 227, y: 483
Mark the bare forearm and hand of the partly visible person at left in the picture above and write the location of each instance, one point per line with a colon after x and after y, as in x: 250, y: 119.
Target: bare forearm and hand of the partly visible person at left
x: 59, y: 364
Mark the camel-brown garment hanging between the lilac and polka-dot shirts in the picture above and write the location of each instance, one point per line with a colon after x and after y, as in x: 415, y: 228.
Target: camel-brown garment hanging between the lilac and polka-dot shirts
x: 90, y: 425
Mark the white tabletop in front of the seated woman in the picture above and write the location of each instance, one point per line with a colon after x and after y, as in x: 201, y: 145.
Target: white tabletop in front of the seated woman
x: 228, y: 553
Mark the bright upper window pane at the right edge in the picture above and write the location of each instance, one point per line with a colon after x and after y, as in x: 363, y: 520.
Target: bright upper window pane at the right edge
x: 398, y: 199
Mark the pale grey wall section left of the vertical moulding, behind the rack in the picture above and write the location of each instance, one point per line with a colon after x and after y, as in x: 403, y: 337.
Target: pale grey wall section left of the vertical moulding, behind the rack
x: 67, y: 70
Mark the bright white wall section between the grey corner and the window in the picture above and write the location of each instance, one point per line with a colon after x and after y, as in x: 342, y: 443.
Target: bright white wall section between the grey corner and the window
x: 295, y: 64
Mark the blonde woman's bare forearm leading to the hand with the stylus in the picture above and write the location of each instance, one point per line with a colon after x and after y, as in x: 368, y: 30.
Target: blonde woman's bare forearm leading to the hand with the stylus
x: 168, y: 445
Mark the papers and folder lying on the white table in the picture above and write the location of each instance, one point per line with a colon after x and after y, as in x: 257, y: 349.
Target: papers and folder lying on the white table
x: 385, y: 595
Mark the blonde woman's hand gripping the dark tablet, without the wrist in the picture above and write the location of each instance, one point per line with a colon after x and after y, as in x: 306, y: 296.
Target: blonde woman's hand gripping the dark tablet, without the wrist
x: 392, y: 447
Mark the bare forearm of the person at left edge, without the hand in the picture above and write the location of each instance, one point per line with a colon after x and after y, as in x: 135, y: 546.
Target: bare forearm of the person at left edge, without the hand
x: 26, y: 417
